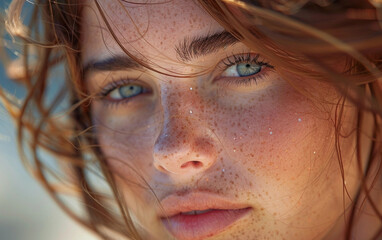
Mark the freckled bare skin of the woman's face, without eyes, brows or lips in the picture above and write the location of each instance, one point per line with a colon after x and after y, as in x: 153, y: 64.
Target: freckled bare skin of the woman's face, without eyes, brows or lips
x: 264, y: 145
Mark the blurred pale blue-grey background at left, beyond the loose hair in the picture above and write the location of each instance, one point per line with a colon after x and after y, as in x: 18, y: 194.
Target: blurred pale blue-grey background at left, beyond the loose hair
x: 26, y: 210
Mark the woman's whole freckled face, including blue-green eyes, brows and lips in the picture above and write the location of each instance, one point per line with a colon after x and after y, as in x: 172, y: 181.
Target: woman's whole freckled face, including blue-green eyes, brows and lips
x: 212, y: 126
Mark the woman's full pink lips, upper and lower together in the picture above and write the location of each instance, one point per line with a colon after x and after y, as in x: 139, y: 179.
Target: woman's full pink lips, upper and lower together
x: 223, y: 213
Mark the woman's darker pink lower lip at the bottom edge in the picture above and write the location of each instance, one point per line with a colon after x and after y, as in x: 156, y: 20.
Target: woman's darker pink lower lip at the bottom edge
x: 201, y: 226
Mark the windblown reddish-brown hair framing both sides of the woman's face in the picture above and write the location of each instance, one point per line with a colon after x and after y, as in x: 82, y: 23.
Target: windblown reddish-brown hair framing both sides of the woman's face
x: 288, y: 32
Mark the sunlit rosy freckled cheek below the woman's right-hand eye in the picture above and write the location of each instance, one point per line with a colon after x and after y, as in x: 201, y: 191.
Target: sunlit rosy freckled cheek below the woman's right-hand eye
x: 279, y: 136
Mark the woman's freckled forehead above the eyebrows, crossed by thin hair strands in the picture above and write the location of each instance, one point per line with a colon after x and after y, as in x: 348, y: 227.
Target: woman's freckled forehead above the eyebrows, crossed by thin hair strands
x: 148, y: 27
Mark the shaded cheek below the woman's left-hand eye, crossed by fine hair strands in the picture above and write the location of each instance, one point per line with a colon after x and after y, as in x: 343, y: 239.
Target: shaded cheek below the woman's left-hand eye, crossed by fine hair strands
x: 126, y: 138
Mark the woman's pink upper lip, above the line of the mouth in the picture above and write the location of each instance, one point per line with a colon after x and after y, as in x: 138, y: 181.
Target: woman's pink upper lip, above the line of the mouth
x: 179, y: 203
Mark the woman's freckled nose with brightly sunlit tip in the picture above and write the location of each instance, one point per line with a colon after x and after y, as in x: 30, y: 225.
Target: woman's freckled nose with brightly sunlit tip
x: 185, y: 145
